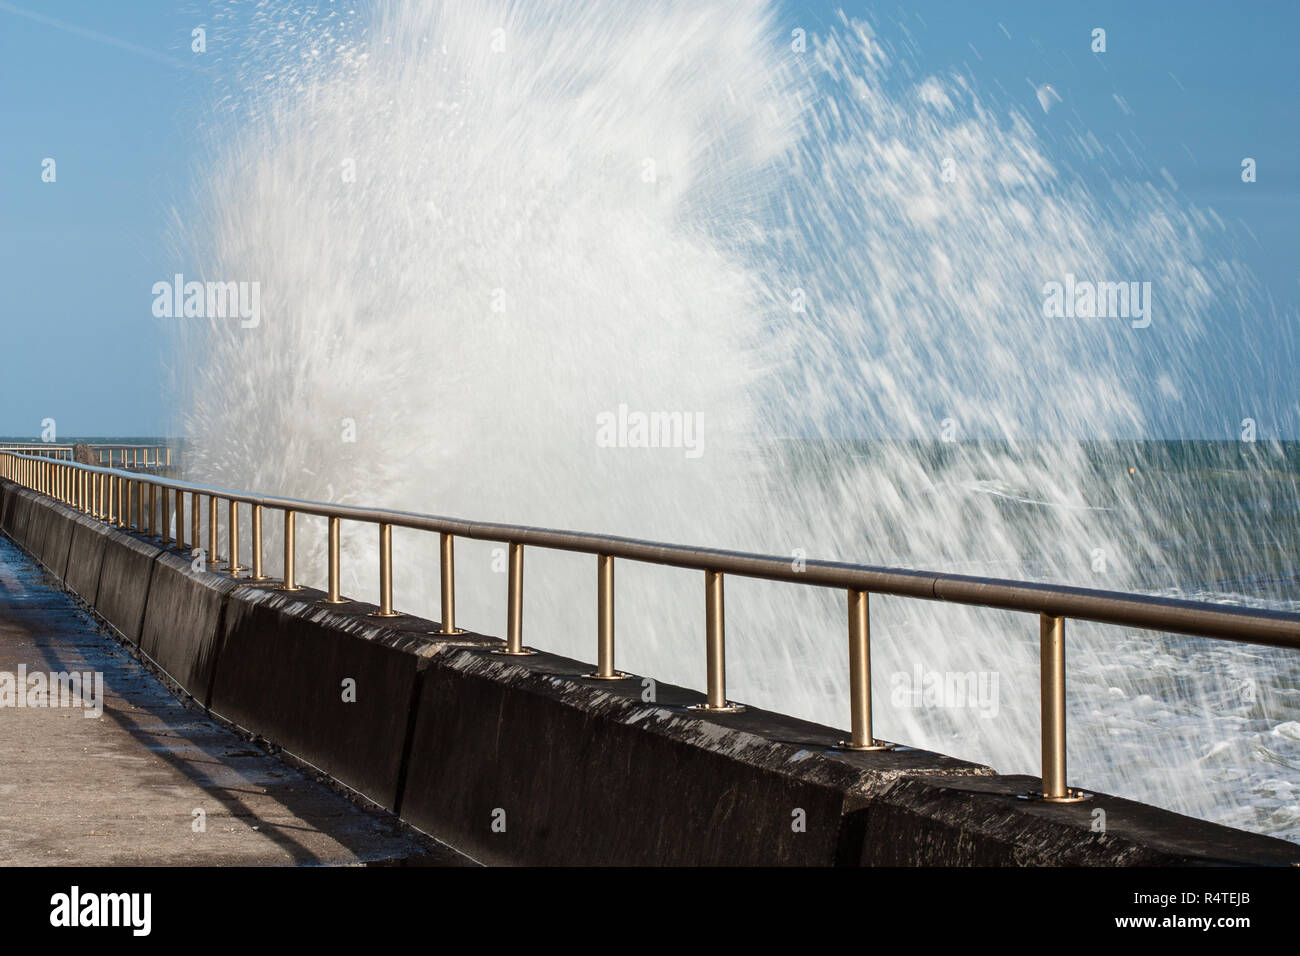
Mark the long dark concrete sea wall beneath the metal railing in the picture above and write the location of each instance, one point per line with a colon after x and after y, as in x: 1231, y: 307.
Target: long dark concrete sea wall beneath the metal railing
x: 521, y: 762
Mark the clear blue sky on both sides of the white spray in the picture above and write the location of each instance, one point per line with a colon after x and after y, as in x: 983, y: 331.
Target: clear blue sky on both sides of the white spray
x: 114, y: 94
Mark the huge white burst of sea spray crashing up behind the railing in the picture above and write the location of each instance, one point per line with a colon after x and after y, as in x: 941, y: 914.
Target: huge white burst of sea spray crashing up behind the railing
x: 482, y: 230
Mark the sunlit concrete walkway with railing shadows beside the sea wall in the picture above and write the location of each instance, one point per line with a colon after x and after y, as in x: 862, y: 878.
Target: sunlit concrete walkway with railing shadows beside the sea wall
x: 133, y: 786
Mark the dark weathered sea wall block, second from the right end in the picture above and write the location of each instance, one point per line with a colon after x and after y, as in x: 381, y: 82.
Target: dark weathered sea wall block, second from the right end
x: 588, y: 773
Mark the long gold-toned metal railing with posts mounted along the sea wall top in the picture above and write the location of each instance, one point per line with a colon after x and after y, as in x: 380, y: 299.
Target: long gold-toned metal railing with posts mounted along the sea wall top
x: 140, y: 503
